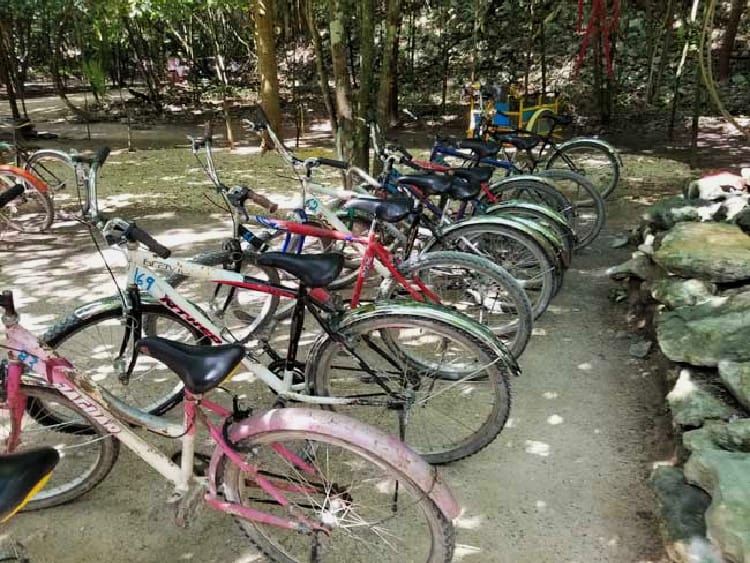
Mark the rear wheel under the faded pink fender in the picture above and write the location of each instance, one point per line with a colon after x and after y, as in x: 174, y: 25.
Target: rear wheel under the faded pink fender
x: 310, y: 445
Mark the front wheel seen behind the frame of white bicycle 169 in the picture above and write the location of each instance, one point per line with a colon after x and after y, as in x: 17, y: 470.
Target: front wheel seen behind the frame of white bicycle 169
x: 242, y: 312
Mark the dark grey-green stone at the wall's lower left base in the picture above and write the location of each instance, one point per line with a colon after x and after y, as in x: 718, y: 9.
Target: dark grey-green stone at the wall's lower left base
x: 682, y: 509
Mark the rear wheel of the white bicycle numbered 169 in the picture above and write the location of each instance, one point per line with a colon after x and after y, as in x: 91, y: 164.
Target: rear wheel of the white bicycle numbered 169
x: 456, y: 395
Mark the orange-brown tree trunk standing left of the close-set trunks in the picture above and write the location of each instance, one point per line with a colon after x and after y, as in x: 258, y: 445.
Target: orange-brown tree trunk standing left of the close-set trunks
x: 269, y: 77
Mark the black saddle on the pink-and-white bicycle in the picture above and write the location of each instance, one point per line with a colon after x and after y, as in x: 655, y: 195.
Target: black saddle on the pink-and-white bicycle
x: 201, y: 368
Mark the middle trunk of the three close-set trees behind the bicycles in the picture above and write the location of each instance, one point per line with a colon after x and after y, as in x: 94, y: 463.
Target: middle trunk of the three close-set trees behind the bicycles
x: 361, y: 156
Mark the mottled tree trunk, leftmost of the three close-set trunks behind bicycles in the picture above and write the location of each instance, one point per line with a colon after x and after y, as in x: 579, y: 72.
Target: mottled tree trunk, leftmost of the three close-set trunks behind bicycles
x: 345, y: 116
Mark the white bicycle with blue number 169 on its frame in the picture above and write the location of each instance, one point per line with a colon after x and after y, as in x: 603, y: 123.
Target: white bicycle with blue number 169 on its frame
x: 401, y: 356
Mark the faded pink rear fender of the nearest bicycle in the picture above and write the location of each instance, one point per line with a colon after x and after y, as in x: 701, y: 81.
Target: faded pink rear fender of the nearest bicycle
x: 313, y: 422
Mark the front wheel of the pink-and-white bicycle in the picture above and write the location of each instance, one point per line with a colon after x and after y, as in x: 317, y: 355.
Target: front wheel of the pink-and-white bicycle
x: 87, y: 450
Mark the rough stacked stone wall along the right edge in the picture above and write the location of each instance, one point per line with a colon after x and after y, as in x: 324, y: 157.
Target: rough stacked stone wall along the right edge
x: 689, y: 282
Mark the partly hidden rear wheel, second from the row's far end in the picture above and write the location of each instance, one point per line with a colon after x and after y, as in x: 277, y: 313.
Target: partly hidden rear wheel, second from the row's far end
x: 590, y: 211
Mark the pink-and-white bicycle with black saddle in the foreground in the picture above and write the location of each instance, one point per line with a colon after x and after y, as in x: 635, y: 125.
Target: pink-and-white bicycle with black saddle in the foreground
x: 304, y: 485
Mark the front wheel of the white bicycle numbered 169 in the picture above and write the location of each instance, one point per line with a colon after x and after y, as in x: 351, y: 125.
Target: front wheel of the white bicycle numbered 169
x: 104, y: 321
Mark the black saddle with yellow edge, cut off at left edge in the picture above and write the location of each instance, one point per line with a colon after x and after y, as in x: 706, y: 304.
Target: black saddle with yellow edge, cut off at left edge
x: 21, y: 477
